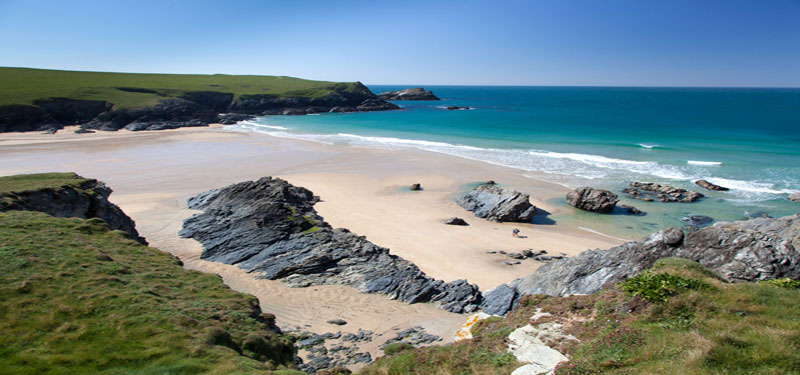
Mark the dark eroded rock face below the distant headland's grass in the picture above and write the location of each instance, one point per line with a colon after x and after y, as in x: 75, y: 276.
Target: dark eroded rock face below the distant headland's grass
x: 198, y: 108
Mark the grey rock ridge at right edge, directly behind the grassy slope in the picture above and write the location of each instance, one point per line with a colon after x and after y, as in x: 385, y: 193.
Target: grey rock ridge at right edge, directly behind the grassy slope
x: 757, y: 249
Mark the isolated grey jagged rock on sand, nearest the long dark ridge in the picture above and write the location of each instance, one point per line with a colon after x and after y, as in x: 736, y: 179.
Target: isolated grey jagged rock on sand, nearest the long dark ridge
x: 493, y: 203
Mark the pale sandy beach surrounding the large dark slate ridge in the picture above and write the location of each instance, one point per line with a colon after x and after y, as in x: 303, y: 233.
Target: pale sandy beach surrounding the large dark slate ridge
x: 153, y: 173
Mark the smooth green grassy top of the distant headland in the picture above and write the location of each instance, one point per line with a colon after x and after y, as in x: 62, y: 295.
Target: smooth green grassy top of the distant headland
x: 23, y: 86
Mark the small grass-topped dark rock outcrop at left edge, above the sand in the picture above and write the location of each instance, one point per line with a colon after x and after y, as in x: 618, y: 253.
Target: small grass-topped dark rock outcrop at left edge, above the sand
x: 65, y: 195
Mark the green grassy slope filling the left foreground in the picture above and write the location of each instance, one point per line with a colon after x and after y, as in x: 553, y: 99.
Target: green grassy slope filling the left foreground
x: 76, y: 298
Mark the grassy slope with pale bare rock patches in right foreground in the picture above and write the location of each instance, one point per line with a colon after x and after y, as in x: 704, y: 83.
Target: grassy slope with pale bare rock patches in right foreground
x: 678, y: 318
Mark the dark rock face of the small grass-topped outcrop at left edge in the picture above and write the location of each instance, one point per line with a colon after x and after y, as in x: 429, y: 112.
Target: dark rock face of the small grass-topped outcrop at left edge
x: 86, y: 200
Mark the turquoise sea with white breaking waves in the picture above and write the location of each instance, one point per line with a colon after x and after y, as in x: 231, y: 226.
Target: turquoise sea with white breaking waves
x: 745, y: 139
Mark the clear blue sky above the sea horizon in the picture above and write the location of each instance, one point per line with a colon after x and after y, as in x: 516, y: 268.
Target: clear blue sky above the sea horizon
x: 559, y: 42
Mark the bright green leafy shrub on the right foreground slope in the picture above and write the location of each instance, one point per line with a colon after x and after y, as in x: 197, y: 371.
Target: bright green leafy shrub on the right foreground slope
x: 658, y: 287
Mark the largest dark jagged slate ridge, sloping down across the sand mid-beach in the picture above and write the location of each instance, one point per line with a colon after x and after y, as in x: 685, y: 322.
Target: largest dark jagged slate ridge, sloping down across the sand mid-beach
x: 270, y: 227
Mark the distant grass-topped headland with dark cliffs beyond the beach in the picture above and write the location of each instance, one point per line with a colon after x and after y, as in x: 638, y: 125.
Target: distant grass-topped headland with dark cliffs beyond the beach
x: 47, y: 100
